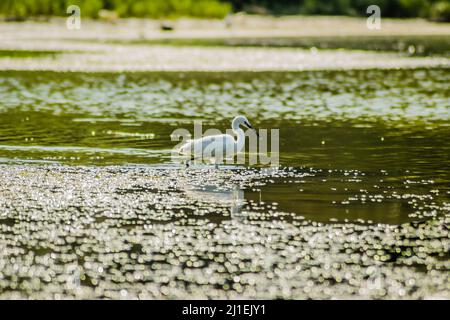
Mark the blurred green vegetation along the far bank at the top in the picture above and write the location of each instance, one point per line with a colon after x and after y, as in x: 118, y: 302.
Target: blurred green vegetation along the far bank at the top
x: 436, y: 10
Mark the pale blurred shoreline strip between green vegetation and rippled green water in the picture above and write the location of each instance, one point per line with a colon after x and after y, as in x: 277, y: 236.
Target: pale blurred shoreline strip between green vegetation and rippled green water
x: 252, y: 44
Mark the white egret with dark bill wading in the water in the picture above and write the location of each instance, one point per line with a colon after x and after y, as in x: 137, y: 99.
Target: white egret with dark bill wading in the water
x: 217, y: 147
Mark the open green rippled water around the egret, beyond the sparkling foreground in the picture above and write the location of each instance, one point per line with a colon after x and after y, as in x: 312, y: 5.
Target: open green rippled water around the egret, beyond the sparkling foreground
x: 361, y: 130
